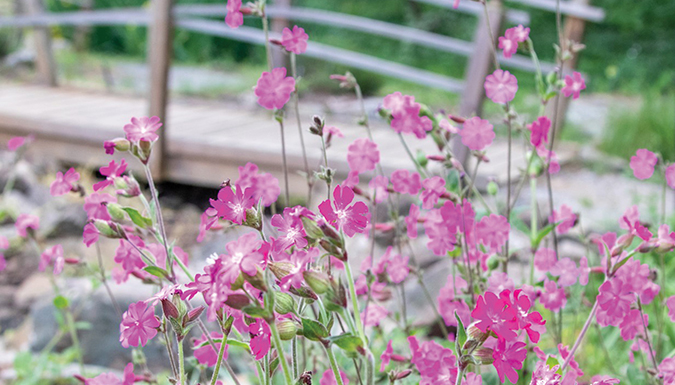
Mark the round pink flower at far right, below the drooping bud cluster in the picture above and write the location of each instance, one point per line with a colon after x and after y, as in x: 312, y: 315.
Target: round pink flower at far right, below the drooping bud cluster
x: 614, y: 300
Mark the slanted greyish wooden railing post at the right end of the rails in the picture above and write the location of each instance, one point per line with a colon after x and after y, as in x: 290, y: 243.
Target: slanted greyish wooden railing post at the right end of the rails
x: 479, y: 66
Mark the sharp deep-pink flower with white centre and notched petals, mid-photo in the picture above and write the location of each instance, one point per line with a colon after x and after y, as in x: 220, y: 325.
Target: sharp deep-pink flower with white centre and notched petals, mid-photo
x: 351, y: 219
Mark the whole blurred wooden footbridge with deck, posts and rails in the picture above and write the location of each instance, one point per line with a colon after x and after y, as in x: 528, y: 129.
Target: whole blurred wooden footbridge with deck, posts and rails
x: 205, y: 142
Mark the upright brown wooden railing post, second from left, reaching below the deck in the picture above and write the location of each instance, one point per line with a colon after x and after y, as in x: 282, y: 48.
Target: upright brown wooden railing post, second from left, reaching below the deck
x: 160, y: 52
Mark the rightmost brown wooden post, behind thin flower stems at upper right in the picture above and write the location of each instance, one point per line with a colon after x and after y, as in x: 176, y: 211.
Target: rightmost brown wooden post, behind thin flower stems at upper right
x: 573, y: 30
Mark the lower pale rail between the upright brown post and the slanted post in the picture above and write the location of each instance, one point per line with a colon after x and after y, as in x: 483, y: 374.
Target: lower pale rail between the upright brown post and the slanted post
x: 332, y: 54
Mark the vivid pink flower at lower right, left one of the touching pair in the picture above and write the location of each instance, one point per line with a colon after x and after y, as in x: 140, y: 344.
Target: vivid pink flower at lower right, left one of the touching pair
x: 493, y: 313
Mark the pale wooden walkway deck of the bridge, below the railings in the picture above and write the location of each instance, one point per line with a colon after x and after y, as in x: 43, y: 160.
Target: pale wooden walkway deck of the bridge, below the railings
x: 207, y: 140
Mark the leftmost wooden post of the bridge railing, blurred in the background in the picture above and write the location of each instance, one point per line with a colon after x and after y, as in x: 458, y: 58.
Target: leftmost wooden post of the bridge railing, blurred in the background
x: 44, y: 57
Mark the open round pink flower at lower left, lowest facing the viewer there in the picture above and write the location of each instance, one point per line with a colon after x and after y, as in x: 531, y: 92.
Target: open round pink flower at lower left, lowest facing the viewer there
x: 139, y: 325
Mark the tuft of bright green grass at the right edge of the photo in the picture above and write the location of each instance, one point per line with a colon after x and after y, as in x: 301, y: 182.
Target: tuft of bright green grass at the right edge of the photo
x: 652, y: 126
